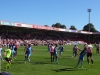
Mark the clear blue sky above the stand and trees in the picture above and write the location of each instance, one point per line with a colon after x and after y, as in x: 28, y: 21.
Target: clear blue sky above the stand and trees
x: 48, y: 12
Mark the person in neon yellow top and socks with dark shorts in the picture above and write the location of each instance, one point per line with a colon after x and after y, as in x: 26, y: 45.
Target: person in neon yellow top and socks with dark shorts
x: 7, y: 54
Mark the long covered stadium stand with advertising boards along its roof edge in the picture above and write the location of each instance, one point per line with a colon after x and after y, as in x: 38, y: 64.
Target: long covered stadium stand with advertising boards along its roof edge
x: 41, y: 35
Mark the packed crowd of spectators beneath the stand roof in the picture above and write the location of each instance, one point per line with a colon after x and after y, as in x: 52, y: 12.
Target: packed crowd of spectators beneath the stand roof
x: 36, y: 38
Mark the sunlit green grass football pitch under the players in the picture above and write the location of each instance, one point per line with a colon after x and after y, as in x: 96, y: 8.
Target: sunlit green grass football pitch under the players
x: 40, y: 63
